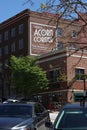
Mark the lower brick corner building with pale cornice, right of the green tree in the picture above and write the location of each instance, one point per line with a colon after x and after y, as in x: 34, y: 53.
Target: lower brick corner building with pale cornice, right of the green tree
x: 70, y: 64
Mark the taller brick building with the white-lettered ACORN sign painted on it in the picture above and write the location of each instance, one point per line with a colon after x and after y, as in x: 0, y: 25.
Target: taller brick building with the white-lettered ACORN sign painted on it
x: 33, y: 33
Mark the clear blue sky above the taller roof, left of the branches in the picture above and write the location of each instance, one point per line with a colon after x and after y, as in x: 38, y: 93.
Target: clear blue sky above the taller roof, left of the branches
x: 9, y: 8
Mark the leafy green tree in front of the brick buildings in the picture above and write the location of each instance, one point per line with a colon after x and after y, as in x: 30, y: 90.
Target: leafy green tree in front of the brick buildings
x: 27, y: 77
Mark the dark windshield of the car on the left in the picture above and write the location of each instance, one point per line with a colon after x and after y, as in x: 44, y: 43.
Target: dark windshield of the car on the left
x: 15, y: 110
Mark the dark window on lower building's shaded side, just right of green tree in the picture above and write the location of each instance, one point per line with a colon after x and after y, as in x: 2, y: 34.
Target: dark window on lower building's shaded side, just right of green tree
x: 54, y: 75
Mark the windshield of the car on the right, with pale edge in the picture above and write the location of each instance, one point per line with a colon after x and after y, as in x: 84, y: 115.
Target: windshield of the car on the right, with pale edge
x: 72, y: 119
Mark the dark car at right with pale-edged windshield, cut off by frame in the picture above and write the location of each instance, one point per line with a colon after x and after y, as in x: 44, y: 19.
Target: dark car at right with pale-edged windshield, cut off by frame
x: 71, y: 117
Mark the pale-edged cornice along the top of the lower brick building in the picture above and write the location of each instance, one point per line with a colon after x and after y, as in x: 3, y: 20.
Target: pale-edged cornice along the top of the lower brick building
x: 65, y: 52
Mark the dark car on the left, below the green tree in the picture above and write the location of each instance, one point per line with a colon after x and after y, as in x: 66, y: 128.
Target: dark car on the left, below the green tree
x: 23, y: 116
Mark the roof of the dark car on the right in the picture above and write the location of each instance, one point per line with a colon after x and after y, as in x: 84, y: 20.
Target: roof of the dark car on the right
x: 76, y: 105
